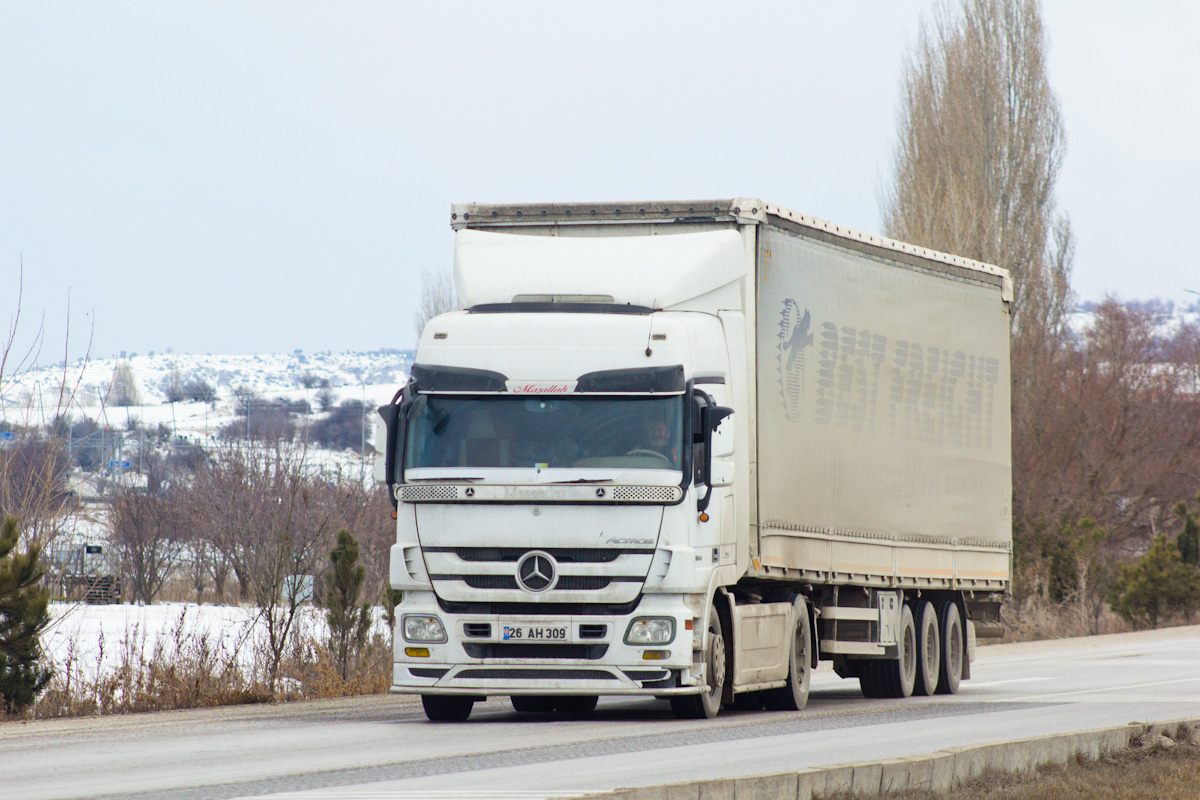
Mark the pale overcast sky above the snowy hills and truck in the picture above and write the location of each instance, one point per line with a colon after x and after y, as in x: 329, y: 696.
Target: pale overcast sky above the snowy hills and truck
x: 260, y: 177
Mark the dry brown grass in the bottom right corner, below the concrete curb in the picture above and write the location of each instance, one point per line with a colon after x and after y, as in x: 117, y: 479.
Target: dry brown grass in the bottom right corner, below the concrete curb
x: 1157, y: 772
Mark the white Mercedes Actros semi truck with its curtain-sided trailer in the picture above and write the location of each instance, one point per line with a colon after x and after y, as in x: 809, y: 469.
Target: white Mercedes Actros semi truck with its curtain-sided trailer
x: 686, y: 450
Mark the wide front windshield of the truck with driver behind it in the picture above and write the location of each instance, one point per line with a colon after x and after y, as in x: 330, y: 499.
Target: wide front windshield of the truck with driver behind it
x: 547, y: 432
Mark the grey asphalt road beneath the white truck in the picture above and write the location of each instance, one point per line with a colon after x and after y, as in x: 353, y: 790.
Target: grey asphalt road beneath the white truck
x: 385, y: 748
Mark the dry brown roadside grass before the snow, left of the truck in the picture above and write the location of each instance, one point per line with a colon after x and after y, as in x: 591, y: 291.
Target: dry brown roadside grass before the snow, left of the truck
x: 193, y: 669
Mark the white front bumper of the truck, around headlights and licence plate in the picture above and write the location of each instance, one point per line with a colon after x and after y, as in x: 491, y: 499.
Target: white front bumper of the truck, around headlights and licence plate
x: 475, y: 664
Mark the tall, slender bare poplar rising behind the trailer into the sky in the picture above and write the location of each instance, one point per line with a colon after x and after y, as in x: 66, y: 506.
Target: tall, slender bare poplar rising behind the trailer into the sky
x: 981, y: 143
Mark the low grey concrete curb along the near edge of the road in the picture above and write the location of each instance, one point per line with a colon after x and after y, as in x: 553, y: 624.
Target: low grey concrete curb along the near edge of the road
x: 940, y: 772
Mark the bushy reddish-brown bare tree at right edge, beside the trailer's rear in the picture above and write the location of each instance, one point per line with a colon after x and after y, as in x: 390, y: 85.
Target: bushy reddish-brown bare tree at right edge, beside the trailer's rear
x: 1117, y: 444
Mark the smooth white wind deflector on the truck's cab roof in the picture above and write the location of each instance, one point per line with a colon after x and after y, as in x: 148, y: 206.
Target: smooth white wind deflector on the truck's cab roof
x: 653, y: 272
